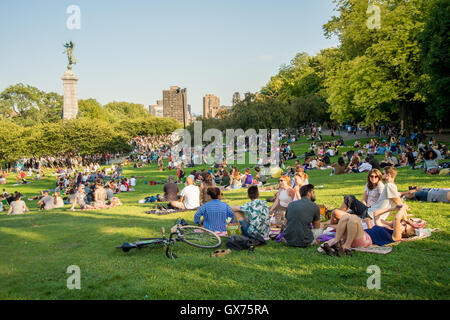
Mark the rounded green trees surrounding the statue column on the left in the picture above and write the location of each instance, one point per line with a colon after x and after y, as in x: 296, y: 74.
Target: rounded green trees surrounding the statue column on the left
x: 31, y: 125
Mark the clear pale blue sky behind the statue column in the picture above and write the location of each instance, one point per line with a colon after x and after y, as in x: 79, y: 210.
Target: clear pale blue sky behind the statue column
x: 132, y: 50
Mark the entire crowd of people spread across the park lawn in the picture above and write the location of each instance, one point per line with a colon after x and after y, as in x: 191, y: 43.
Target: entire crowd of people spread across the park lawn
x: 294, y: 215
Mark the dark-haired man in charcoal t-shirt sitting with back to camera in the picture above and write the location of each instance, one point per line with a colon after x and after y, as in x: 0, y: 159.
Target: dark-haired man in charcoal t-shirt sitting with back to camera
x: 300, y: 215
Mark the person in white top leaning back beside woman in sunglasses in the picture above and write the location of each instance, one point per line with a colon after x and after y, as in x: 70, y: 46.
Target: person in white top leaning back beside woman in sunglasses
x: 380, y: 210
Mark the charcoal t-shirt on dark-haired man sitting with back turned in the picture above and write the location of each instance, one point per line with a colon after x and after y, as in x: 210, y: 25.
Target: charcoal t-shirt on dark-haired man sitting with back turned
x: 300, y: 214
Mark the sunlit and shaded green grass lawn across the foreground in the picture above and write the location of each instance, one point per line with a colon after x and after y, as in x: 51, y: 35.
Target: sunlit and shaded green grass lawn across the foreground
x: 37, y: 248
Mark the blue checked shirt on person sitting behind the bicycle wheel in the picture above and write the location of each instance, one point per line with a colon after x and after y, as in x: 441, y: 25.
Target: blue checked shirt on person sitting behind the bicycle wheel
x: 215, y: 214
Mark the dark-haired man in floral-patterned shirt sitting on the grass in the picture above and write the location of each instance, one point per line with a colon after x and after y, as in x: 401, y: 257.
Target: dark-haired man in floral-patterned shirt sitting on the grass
x: 254, y: 215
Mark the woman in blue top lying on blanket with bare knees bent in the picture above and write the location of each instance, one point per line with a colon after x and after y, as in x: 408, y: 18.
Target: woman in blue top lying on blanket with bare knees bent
x: 351, y: 231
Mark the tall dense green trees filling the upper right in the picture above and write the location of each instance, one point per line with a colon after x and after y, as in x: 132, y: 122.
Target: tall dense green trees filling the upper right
x: 381, y: 75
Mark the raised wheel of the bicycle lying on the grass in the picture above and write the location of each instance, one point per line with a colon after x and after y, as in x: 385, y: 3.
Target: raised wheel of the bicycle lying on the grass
x: 199, y: 237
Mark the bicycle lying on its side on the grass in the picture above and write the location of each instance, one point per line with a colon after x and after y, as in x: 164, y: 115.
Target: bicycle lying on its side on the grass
x: 192, y: 235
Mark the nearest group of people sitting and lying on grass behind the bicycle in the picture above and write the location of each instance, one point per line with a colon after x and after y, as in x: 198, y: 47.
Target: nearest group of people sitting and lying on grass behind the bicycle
x: 357, y: 223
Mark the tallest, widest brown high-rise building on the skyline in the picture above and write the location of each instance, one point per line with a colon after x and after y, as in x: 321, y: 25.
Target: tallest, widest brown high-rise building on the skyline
x: 174, y: 100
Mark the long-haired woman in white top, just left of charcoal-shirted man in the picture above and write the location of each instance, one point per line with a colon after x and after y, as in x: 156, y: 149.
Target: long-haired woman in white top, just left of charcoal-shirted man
x: 284, y: 196
